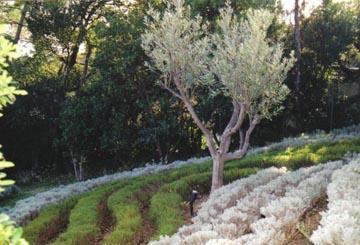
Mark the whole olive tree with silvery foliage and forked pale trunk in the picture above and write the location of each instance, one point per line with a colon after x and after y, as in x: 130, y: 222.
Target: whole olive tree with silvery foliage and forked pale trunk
x: 238, y: 58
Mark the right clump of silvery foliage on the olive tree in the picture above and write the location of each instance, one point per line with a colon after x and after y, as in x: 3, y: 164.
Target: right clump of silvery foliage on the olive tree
x: 251, y: 68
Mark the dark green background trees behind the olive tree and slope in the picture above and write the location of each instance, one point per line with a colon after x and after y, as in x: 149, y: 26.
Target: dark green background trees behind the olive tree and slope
x: 91, y: 99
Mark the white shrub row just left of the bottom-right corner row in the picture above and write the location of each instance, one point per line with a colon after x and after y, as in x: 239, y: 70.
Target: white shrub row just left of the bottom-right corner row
x: 283, y: 214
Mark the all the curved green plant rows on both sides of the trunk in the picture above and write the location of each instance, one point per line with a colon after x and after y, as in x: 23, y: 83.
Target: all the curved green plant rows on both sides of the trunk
x: 81, y: 214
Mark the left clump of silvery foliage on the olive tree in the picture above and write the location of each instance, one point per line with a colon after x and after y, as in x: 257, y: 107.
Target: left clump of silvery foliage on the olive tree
x: 177, y: 44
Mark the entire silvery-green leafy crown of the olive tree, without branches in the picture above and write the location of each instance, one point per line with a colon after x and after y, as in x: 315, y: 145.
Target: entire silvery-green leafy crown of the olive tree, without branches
x: 250, y: 67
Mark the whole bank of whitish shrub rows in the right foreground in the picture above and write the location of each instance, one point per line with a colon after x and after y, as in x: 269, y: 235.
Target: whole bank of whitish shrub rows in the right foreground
x: 272, y: 211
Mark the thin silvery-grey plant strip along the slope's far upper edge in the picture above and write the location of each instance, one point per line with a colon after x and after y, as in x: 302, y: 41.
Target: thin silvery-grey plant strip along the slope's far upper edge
x: 26, y: 208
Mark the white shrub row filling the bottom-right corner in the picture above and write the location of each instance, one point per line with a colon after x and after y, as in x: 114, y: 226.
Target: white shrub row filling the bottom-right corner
x: 340, y: 224
